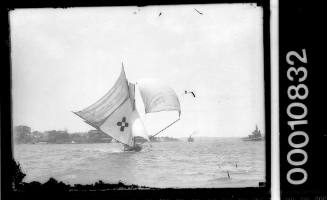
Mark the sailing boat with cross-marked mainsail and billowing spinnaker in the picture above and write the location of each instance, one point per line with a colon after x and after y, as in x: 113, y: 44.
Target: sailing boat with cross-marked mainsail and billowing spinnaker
x: 116, y: 115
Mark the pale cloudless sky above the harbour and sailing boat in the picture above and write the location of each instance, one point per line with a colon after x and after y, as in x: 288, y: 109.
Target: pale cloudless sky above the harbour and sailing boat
x: 64, y: 60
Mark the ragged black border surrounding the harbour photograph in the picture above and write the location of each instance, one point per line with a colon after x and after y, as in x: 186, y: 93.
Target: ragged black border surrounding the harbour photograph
x: 9, y: 168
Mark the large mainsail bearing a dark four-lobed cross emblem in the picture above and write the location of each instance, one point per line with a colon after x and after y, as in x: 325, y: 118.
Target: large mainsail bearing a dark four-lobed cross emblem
x: 112, y: 113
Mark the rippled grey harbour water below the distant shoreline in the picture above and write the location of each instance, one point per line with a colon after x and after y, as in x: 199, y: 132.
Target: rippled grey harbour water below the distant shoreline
x: 203, y: 163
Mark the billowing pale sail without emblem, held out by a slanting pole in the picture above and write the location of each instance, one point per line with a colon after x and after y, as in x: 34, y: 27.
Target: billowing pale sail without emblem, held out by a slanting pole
x: 157, y: 96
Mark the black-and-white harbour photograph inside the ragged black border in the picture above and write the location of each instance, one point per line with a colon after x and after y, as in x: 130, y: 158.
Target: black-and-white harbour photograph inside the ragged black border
x: 169, y: 96
